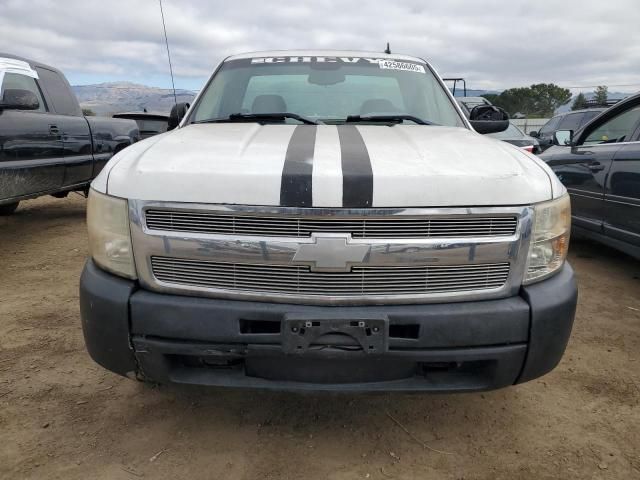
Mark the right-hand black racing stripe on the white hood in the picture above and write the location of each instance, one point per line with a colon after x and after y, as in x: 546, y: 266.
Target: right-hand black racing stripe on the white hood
x: 357, y: 175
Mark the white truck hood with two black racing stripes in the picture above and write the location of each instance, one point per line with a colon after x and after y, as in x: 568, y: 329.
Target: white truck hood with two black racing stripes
x: 328, y: 166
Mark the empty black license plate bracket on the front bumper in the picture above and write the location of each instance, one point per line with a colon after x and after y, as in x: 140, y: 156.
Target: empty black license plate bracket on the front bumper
x: 368, y: 335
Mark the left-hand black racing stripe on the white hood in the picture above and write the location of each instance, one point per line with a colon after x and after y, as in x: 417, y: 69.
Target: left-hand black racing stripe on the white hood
x: 295, y: 186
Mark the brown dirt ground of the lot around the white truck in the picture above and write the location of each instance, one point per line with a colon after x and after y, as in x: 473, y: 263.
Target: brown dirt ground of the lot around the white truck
x: 62, y: 416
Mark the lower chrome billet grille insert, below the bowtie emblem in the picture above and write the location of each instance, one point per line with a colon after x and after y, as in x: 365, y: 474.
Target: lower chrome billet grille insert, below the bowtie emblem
x: 293, y: 279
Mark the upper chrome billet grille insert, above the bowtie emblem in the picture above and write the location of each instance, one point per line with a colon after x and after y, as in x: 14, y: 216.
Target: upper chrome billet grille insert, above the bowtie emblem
x: 460, y: 226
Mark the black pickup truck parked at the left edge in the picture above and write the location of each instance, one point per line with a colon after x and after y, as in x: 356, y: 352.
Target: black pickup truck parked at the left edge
x: 46, y: 145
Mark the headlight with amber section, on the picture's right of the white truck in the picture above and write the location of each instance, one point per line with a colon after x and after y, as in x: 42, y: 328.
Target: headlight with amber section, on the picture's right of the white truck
x: 549, y: 239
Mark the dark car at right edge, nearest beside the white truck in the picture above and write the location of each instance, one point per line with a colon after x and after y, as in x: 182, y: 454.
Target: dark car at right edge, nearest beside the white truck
x: 601, y: 169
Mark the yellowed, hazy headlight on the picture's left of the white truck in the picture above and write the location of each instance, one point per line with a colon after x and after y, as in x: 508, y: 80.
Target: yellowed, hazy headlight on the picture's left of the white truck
x: 109, y: 235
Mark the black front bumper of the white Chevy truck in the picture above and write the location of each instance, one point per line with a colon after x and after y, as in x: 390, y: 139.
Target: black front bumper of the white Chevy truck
x: 463, y: 346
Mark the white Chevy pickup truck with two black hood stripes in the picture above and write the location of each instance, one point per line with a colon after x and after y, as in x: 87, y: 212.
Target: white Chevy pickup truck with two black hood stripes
x: 324, y: 220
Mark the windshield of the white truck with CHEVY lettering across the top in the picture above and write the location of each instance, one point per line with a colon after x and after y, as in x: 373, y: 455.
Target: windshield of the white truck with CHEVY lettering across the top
x: 326, y: 89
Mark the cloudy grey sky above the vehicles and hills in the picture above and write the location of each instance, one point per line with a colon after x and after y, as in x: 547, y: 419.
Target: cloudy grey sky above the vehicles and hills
x: 493, y: 44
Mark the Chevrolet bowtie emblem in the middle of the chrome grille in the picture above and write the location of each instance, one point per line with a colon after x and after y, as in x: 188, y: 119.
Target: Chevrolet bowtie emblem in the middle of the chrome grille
x: 331, y: 253
